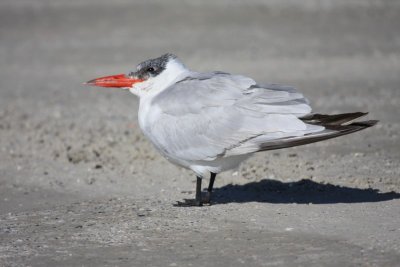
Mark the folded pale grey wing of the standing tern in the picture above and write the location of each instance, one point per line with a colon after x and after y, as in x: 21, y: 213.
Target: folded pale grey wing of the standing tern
x: 210, y: 115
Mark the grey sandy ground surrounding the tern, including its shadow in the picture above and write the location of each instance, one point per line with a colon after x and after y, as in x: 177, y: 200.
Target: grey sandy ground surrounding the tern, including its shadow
x: 81, y: 186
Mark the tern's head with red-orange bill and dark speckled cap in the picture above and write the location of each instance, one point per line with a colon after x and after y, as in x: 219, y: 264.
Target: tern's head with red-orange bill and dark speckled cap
x: 151, y: 75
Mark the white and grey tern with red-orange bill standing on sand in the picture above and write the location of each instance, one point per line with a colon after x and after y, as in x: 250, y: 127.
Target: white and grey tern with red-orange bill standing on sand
x: 210, y: 122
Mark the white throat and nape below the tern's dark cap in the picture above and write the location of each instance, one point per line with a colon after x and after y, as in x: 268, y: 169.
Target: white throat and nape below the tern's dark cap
x: 174, y: 71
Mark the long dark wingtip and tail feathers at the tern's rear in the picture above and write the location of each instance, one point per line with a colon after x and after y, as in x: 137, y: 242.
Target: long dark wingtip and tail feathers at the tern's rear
x: 335, y: 125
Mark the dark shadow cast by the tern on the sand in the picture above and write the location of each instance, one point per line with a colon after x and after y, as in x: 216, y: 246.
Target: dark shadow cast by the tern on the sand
x: 302, y: 192
